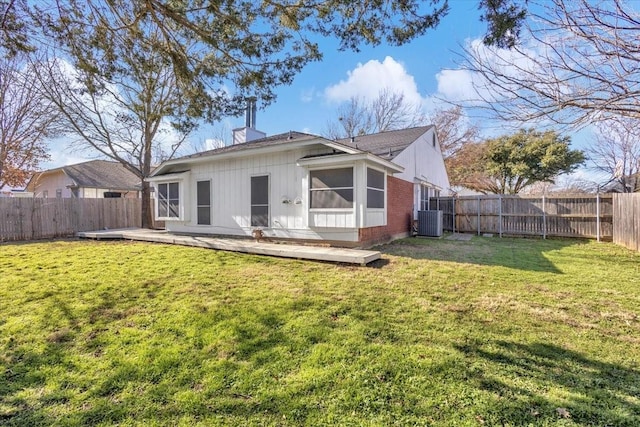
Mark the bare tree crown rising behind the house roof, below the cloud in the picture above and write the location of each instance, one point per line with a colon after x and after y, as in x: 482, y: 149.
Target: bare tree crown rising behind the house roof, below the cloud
x: 388, y: 111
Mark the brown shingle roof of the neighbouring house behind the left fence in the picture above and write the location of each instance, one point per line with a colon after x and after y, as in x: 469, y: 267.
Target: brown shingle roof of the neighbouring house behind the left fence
x: 102, y: 174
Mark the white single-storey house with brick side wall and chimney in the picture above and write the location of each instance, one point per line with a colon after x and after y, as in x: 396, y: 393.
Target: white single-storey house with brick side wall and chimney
x: 353, y: 192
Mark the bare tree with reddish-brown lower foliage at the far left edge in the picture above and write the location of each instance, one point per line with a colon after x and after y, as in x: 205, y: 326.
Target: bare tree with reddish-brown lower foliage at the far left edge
x: 27, y: 118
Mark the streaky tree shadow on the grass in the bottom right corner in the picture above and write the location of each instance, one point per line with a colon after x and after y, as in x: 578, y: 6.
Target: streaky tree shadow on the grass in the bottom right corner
x: 592, y: 392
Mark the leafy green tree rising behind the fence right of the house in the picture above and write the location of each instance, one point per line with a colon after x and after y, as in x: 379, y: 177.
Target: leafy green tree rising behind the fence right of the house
x: 511, y: 163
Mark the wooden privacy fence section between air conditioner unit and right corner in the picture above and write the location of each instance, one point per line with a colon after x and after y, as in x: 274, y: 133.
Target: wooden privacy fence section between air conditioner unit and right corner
x: 566, y: 216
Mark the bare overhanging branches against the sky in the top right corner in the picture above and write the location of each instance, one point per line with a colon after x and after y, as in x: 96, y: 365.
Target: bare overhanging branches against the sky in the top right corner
x: 578, y: 62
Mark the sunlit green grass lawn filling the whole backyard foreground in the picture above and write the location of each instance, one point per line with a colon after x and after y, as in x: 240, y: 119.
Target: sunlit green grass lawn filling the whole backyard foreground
x: 487, y: 332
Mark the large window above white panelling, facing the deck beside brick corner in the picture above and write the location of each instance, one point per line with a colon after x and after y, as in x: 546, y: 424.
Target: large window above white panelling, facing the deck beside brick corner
x: 332, y: 189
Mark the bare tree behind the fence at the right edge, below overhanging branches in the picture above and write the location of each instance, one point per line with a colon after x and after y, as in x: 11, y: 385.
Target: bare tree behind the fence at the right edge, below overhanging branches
x: 616, y: 152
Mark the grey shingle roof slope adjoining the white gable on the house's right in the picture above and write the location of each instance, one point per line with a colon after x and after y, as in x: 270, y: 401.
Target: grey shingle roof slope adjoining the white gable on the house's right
x: 386, y: 144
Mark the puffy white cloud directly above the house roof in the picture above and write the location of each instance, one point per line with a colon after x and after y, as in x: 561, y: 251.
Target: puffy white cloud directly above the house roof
x: 368, y: 79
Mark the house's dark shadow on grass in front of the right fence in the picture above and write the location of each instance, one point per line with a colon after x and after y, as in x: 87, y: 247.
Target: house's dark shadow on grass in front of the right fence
x: 517, y: 253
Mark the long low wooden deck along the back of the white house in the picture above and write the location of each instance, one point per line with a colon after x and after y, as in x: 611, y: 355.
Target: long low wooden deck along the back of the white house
x: 315, y: 253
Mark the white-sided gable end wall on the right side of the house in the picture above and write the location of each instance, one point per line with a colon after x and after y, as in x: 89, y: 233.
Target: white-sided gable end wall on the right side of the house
x: 423, y: 164
